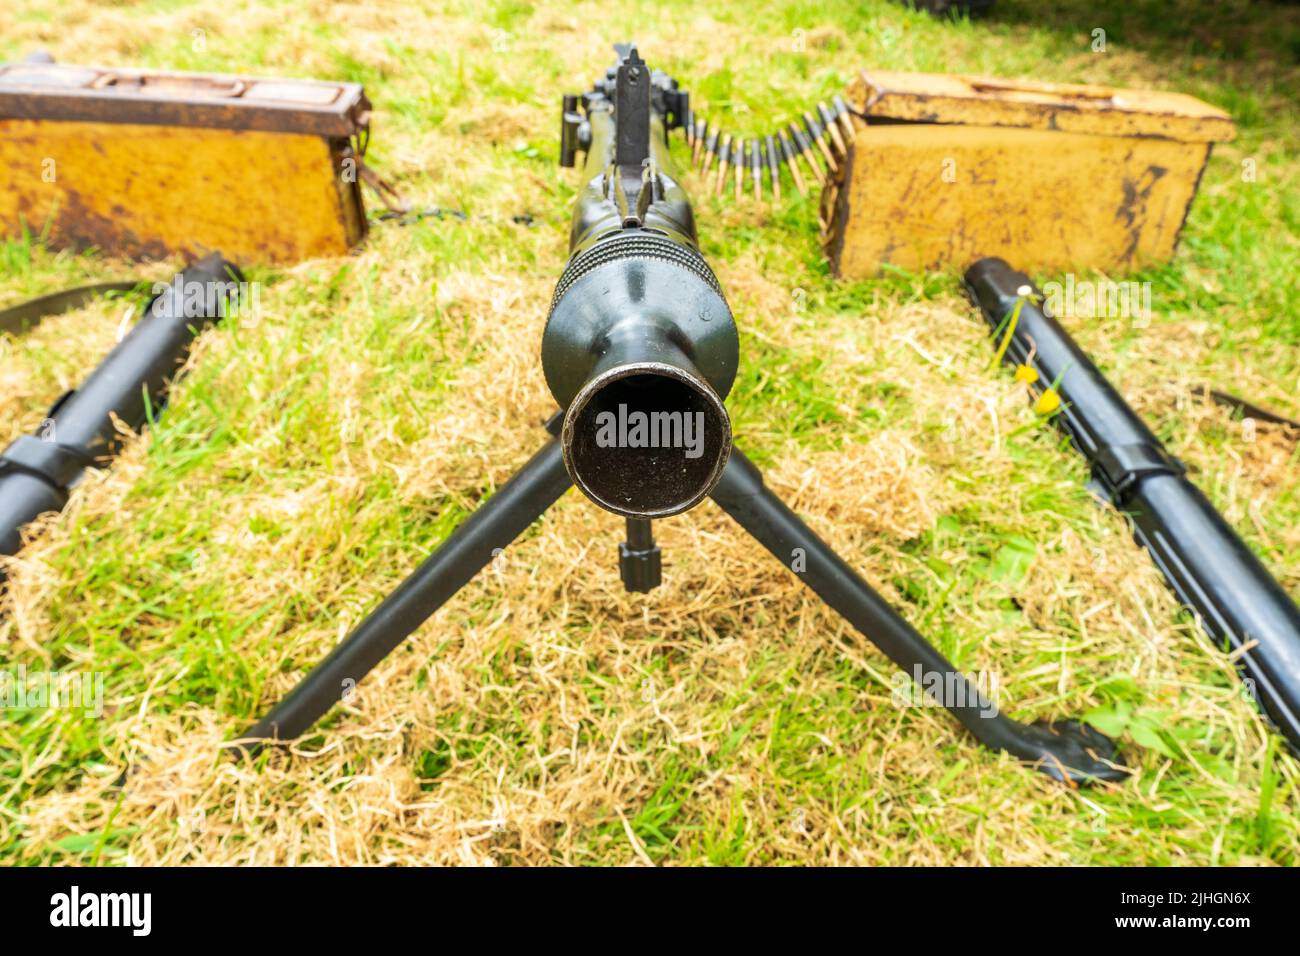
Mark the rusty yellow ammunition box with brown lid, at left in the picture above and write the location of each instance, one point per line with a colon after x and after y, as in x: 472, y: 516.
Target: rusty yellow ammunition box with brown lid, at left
x: 151, y: 165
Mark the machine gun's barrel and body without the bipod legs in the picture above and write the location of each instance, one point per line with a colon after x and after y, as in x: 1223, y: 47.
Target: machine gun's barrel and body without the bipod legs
x: 640, y: 348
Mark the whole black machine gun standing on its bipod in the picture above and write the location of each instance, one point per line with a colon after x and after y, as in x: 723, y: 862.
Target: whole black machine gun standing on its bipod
x: 640, y: 352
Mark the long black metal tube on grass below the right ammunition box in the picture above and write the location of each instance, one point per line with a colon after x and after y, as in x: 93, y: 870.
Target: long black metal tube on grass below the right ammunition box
x: 1207, y: 564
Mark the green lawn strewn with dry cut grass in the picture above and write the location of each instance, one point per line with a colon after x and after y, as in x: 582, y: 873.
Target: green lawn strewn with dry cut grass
x: 310, y: 461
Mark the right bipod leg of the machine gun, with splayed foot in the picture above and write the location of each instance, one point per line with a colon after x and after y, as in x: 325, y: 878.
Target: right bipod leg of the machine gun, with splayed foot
x: 1063, y: 750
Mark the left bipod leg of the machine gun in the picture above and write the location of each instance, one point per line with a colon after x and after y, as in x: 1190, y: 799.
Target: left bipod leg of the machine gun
x: 470, y: 548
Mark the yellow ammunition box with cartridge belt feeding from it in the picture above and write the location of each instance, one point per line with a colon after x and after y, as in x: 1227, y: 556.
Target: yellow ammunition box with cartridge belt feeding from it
x: 946, y: 170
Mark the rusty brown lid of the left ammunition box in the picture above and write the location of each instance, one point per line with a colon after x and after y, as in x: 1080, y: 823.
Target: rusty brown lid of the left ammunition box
x: 159, y: 98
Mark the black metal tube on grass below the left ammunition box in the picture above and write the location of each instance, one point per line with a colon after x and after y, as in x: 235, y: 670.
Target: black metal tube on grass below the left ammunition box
x: 81, y: 431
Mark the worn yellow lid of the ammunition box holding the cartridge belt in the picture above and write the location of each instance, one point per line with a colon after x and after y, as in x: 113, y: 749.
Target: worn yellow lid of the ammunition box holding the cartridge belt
x: 1072, y: 109
